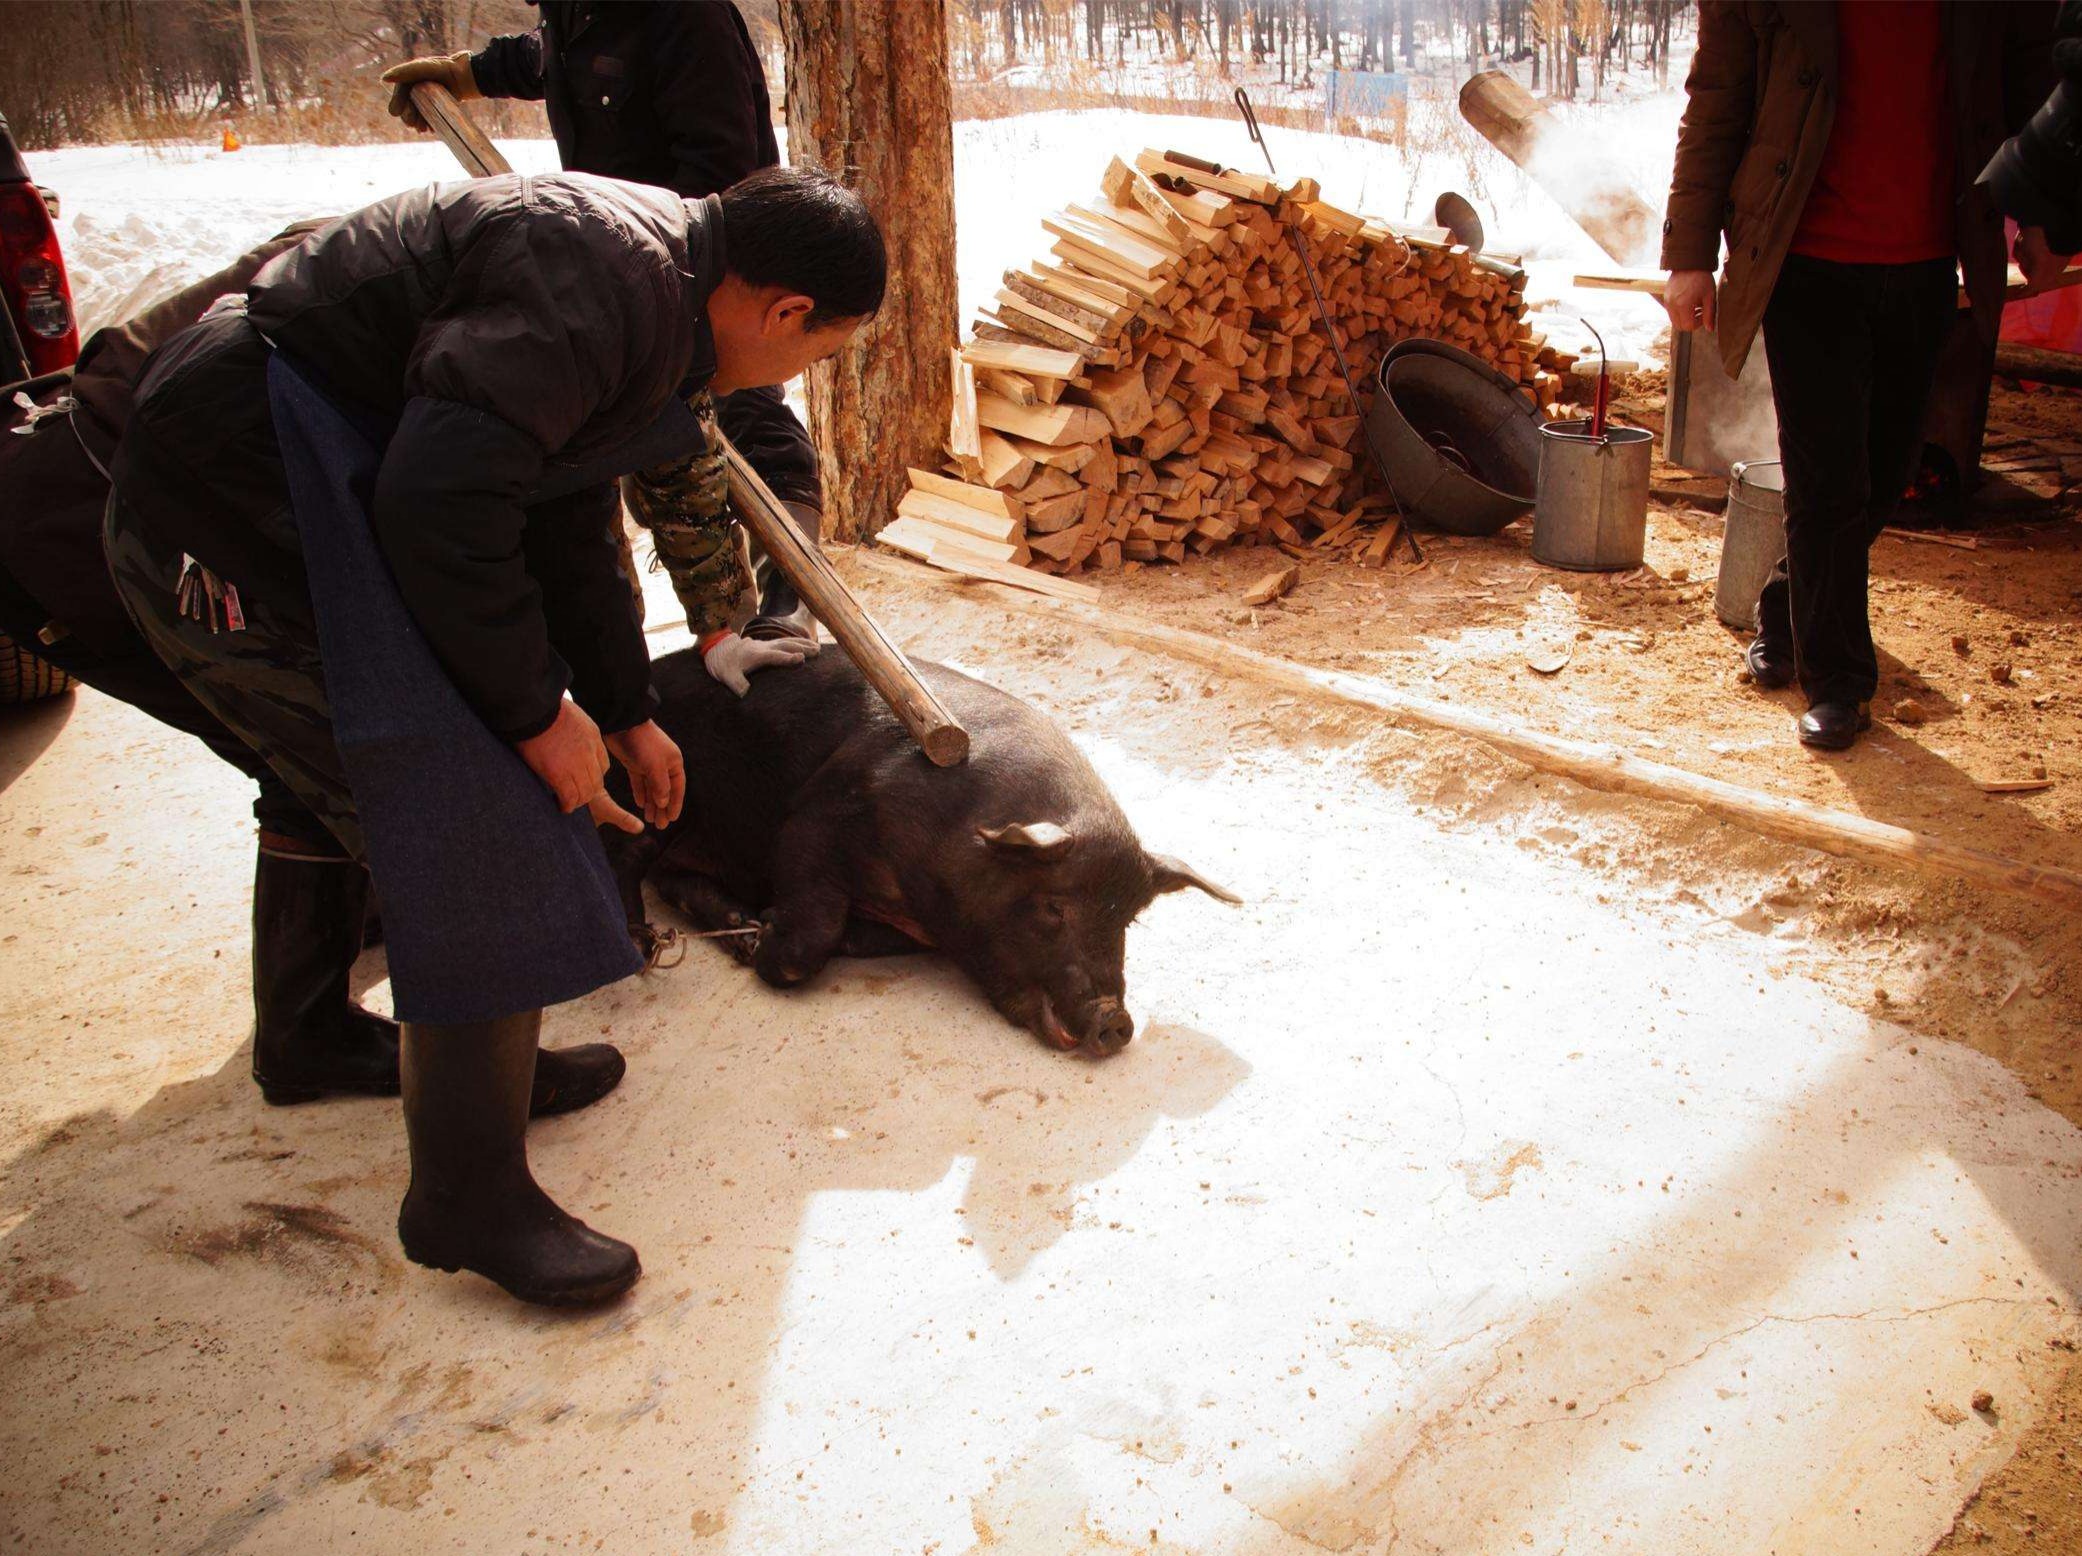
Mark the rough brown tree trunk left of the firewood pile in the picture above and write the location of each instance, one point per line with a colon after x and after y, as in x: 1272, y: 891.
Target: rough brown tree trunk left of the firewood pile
x: 869, y: 101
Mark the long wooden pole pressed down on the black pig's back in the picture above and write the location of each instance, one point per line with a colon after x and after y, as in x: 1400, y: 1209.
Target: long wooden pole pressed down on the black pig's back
x: 801, y: 563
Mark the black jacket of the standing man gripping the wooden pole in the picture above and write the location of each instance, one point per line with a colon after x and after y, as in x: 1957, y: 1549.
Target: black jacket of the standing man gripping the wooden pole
x: 663, y: 93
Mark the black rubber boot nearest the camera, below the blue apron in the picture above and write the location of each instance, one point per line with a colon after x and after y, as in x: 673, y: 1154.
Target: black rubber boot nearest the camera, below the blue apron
x: 474, y: 1203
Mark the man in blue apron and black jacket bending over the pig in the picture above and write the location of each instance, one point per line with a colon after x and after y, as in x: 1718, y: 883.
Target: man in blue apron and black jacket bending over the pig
x: 363, y: 518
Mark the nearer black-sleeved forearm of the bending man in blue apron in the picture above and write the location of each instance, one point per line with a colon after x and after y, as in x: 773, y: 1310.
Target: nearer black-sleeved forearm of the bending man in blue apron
x: 451, y: 524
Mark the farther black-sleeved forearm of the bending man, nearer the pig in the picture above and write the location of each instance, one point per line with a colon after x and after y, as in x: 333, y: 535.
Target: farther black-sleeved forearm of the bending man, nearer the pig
x: 592, y: 611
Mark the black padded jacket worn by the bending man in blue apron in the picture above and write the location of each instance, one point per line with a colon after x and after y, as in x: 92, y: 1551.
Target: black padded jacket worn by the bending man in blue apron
x: 522, y: 334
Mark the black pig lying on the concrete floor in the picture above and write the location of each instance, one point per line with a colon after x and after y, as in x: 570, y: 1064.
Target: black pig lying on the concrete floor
x: 815, y: 820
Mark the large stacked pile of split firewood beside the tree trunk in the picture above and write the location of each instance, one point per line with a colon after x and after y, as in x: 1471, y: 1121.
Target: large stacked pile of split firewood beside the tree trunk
x: 1163, y: 384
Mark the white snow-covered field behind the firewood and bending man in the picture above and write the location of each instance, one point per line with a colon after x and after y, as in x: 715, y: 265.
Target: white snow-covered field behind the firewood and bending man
x: 141, y: 220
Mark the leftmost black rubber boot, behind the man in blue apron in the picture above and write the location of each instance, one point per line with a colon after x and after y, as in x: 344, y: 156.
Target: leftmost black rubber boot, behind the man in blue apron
x: 311, y: 1040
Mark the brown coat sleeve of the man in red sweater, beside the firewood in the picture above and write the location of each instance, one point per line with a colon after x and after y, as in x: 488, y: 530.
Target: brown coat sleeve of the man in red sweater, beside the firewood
x: 1721, y: 99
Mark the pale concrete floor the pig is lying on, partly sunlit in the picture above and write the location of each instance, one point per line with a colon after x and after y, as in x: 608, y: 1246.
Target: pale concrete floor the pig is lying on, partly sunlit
x: 1446, y: 1205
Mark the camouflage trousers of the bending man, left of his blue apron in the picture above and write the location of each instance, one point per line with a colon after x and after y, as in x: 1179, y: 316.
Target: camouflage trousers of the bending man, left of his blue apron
x: 265, y: 682
